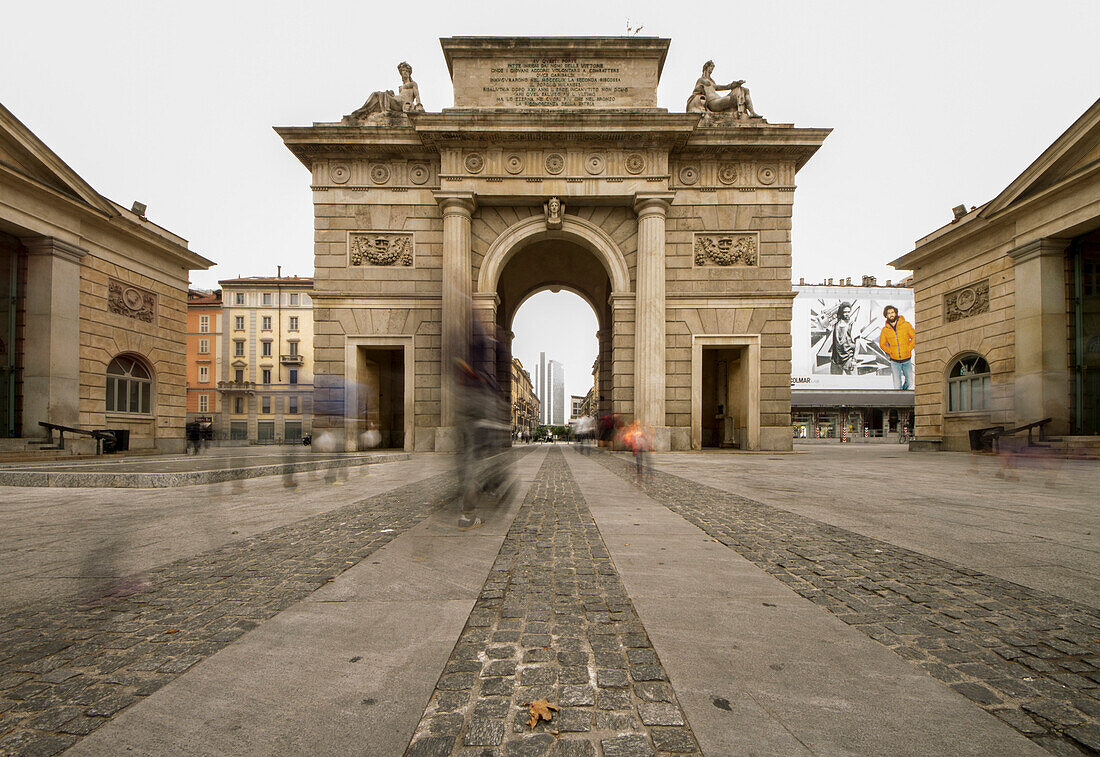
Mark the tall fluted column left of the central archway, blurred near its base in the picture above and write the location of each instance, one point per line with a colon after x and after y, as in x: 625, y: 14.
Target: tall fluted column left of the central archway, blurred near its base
x: 458, y: 209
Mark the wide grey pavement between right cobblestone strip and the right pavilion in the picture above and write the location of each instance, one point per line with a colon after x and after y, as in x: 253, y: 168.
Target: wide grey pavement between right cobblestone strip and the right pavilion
x: 1039, y: 528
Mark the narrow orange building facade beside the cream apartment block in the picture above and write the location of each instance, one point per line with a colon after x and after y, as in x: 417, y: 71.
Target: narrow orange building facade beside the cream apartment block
x: 204, y: 357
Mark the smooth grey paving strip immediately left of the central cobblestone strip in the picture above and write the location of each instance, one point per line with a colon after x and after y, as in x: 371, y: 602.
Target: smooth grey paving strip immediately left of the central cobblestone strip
x: 347, y: 671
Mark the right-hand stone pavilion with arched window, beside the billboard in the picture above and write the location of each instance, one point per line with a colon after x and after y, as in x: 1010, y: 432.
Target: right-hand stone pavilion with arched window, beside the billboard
x: 1008, y: 303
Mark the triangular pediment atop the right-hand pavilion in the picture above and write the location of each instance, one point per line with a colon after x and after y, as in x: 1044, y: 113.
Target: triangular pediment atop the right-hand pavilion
x: 1077, y: 150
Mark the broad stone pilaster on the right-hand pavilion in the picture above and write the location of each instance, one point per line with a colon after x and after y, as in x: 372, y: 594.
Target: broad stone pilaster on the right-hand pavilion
x: 1043, y: 370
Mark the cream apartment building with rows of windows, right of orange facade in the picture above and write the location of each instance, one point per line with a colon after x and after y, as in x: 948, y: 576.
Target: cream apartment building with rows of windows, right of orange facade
x: 267, y: 381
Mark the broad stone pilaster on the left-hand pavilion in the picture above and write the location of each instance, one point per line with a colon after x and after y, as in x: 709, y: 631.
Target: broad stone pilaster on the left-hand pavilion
x: 52, y: 353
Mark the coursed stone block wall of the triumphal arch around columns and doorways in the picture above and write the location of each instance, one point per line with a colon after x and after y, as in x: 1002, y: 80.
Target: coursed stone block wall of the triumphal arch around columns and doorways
x: 701, y: 300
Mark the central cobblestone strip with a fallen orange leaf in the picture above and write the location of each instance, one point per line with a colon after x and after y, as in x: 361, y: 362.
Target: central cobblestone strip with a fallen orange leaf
x: 554, y: 622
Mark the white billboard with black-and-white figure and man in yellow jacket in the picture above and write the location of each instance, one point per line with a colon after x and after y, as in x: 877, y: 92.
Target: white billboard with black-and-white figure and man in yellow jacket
x: 837, y: 337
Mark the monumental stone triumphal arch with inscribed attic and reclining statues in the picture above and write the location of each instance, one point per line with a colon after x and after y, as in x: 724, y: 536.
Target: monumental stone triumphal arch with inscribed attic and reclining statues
x: 556, y: 169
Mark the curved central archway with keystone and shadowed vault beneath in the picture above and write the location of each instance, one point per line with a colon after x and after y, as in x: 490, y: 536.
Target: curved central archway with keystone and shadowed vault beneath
x: 529, y: 258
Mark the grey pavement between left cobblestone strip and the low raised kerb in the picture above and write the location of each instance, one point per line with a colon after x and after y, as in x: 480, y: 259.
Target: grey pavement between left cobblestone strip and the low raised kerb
x: 68, y: 543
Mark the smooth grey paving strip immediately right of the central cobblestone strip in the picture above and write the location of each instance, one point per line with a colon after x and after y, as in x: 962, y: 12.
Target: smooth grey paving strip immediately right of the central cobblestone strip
x: 760, y: 670
